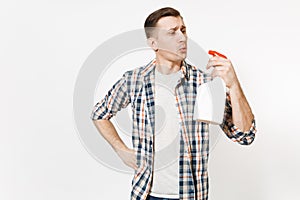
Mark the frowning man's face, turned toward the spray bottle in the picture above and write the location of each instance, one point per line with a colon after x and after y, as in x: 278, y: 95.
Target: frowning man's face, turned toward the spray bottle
x: 171, y: 38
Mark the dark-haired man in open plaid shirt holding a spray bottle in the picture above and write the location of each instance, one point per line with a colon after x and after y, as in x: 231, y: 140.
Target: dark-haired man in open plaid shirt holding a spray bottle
x: 186, y: 178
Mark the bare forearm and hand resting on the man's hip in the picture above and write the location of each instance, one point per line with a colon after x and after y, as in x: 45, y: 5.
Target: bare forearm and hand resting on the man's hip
x: 108, y: 131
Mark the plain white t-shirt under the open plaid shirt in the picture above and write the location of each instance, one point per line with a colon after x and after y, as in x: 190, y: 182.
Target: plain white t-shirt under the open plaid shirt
x: 165, y: 182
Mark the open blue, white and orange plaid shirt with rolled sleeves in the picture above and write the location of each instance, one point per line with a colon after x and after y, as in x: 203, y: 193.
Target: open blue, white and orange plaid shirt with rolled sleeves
x: 137, y: 88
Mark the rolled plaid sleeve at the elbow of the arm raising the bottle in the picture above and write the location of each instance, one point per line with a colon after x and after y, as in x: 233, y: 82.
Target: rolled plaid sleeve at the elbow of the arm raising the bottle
x: 232, y: 131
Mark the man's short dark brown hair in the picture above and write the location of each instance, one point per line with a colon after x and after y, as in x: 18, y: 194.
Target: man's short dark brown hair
x: 153, y: 18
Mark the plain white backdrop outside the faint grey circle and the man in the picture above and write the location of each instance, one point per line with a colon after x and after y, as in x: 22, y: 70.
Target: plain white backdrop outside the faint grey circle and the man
x: 43, y: 45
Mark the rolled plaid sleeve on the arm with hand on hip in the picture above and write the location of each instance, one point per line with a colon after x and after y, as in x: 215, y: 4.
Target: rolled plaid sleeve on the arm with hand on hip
x: 116, y: 99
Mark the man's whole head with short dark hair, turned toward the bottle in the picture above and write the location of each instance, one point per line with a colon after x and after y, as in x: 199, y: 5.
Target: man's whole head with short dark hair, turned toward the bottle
x: 166, y: 34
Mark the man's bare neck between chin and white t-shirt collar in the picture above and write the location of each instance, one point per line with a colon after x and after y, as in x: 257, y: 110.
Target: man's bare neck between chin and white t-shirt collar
x: 167, y: 67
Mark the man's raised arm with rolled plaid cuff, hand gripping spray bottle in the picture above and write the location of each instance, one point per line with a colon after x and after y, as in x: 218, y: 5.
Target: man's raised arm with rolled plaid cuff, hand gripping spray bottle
x: 239, y: 122
